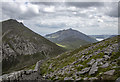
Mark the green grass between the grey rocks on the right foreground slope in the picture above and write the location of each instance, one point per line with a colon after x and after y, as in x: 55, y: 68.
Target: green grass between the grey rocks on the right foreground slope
x: 69, y: 57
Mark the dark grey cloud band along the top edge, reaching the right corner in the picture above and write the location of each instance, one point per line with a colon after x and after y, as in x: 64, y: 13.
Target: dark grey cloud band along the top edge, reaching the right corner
x: 113, y: 9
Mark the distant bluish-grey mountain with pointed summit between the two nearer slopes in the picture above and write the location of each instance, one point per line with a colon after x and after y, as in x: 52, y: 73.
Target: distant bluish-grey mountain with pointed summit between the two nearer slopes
x: 70, y: 38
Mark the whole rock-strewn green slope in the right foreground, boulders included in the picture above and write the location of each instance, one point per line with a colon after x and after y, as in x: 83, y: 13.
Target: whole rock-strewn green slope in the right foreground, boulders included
x: 97, y: 61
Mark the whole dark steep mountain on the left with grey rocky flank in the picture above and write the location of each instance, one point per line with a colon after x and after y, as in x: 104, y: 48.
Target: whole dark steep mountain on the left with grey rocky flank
x: 21, y: 47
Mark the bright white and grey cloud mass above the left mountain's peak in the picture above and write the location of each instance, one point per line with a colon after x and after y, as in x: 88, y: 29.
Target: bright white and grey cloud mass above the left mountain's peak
x: 19, y: 10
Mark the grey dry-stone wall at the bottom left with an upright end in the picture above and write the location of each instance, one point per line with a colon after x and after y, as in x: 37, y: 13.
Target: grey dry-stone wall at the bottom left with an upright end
x: 23, y: 75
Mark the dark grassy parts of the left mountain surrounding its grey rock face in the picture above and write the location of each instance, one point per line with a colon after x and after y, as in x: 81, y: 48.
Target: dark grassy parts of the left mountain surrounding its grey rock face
x: 20, y: 62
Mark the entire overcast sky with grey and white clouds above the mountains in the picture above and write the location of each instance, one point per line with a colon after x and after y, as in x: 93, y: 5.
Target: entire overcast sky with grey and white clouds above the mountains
x: 90, y: 18
